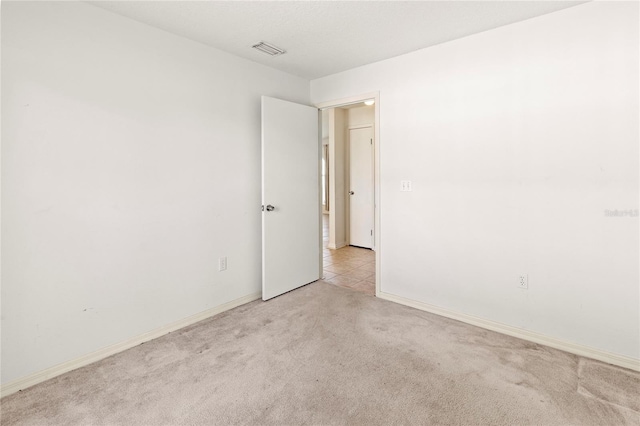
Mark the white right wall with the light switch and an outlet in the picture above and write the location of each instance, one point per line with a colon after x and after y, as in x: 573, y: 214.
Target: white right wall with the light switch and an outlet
x: 517, y: 140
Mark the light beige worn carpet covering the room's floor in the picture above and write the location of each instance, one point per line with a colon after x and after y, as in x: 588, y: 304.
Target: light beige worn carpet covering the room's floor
x: 328, y: 355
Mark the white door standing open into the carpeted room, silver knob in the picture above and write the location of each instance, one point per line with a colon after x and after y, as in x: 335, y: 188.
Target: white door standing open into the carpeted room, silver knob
x: 291, y: 237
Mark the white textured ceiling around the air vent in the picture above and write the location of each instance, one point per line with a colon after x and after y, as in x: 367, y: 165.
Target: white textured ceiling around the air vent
x: 326, y: 37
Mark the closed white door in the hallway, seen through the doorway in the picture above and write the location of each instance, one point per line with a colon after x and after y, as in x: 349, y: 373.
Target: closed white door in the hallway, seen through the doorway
x: 361, y: 201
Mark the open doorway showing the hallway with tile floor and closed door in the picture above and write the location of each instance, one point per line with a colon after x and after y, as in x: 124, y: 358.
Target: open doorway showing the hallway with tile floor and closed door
x: 349, y: 194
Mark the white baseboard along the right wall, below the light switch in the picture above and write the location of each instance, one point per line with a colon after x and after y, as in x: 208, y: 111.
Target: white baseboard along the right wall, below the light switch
x: 532, y: 336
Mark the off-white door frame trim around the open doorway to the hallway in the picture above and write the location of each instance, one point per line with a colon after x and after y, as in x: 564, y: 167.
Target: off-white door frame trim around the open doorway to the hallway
x: 376, y: 168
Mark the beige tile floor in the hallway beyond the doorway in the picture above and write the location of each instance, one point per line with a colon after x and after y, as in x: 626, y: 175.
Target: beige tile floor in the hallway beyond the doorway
x: 349, y: 267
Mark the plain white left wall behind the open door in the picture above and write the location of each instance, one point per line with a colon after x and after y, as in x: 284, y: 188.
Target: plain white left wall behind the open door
x: 130, y: 163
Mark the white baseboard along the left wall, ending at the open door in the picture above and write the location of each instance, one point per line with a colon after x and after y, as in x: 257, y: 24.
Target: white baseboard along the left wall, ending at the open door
x: 56, y: 370
